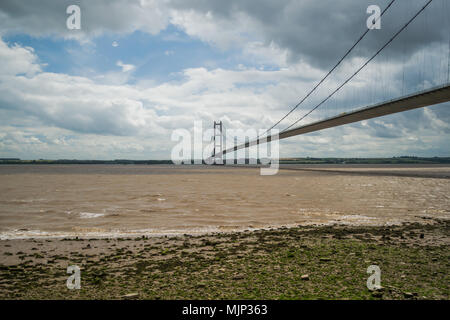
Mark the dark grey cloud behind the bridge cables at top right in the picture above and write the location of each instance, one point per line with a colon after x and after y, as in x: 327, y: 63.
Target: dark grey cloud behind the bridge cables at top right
x: 317, y: 31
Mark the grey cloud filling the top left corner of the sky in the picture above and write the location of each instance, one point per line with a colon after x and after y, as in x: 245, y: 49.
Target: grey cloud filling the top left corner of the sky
x: 47, y: 17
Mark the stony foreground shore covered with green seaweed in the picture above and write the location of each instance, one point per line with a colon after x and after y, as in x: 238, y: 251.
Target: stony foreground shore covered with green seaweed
x: 288, y: 263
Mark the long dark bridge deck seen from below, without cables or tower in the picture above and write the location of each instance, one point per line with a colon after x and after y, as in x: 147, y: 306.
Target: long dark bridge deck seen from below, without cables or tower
x: 421, y: 99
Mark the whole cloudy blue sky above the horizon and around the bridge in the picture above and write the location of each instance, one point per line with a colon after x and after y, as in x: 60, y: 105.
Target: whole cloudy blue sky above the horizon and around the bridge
x: 137, y: 70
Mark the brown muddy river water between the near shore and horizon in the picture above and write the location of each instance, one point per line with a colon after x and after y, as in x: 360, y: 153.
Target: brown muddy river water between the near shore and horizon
x: 128, y: 200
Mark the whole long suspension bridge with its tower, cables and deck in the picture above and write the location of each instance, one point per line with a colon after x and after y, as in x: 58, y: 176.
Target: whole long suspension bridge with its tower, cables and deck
x: 429, y: 69
